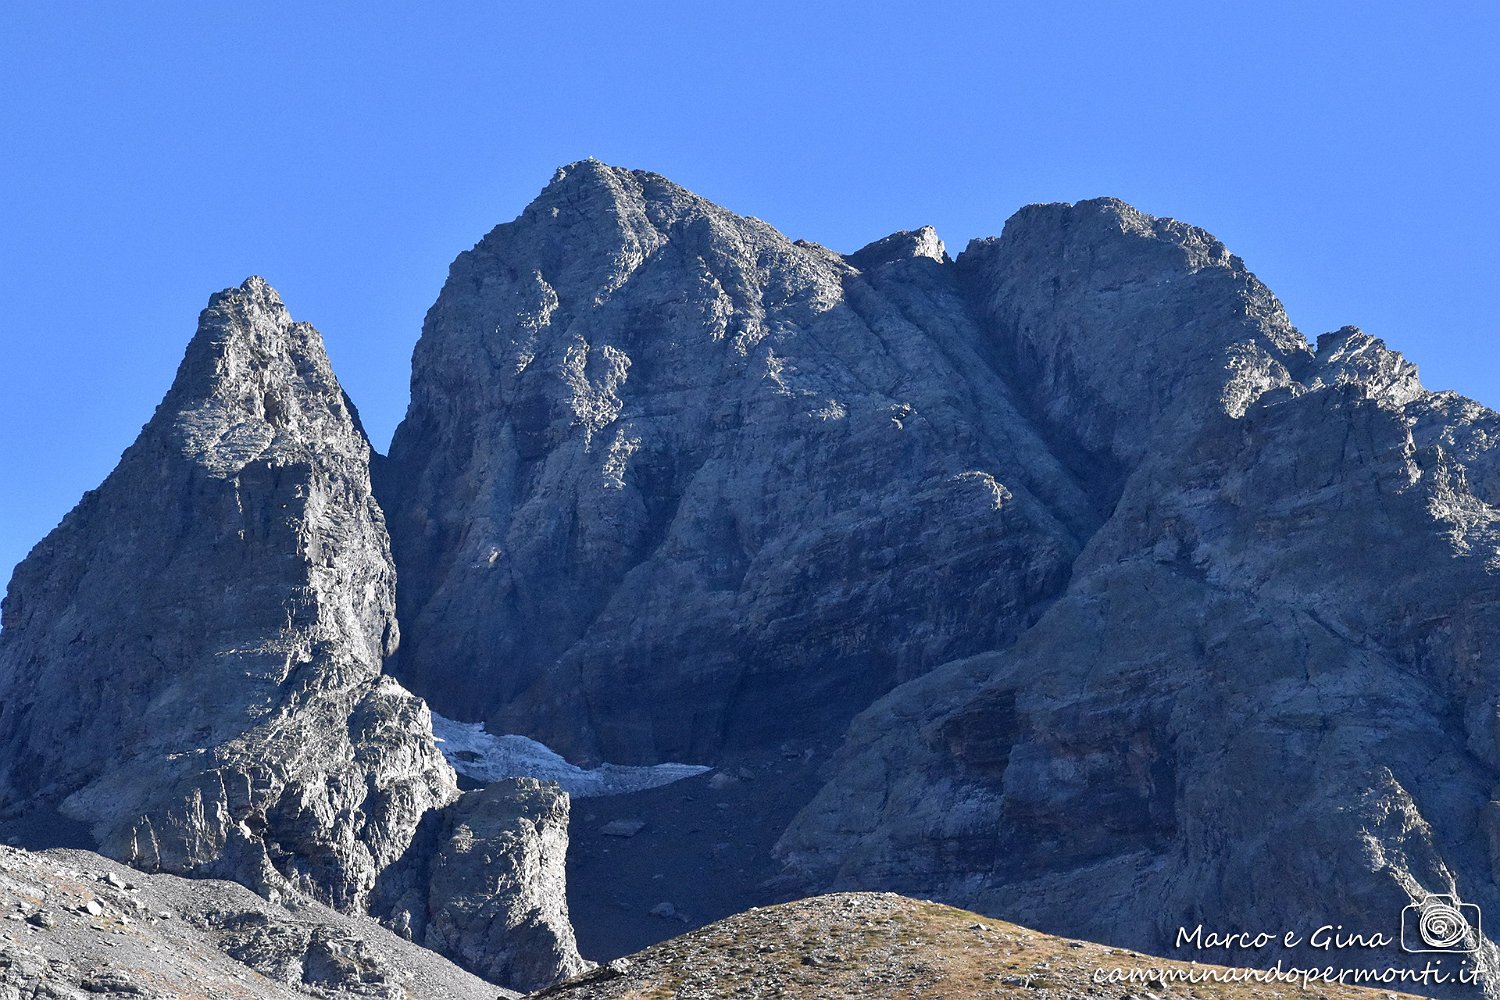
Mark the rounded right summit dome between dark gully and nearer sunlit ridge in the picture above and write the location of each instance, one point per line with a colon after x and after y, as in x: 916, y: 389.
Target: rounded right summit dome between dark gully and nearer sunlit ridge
x: 1117, y: 325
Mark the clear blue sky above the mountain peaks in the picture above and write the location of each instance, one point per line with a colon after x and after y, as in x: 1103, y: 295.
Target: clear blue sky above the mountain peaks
x: 154, y: 154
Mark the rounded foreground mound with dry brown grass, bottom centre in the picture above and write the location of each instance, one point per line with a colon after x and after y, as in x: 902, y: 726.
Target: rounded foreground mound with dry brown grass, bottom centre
x: 872, y: 947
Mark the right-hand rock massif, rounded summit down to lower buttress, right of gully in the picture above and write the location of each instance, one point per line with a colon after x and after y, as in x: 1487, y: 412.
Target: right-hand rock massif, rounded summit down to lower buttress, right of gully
x: 1268, y: 696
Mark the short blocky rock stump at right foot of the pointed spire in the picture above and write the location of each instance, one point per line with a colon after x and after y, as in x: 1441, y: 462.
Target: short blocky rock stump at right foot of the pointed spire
x: 487, y: 885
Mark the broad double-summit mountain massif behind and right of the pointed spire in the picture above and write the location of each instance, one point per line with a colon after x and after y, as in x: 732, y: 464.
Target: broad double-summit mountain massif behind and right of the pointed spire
x: 1147, y: 611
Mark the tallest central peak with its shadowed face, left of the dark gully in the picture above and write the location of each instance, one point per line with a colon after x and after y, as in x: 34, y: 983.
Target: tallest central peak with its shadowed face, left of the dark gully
x: 673, y: 484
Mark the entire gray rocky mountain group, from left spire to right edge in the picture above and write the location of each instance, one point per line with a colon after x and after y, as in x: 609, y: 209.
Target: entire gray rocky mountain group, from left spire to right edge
x: 1064, y: 581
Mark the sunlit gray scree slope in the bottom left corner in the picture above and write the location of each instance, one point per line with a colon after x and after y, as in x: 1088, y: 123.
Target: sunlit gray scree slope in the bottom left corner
x: 76, y: 926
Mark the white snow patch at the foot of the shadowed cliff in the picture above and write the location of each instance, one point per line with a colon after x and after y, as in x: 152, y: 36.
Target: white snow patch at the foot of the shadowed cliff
x: 488, y: 758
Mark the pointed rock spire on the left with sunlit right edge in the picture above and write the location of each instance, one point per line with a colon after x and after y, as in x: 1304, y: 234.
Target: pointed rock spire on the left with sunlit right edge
x: 191, y: 662
